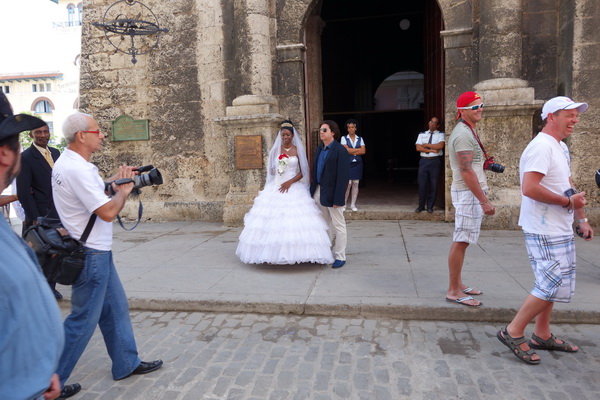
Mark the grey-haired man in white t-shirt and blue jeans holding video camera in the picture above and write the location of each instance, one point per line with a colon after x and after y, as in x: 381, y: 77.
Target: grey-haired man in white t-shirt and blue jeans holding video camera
x: 97, y: 296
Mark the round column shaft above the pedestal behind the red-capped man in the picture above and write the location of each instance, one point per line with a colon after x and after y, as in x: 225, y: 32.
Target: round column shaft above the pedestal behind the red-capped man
x: 500, y: 42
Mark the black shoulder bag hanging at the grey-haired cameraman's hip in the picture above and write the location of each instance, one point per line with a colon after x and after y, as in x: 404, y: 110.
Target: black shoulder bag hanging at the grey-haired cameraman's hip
x: 61, y: 257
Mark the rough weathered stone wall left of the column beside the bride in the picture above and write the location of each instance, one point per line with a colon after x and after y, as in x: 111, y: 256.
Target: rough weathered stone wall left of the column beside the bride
x: 178, y: 87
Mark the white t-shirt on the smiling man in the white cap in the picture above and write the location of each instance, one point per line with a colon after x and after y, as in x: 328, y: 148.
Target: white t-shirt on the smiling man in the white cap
x: 546, y: 155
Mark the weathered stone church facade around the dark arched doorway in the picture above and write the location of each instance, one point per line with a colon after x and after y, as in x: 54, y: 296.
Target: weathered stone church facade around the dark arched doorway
x: 229, y: 70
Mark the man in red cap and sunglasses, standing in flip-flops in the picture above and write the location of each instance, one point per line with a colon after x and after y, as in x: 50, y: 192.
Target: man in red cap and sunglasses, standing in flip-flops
x: 468, y: 190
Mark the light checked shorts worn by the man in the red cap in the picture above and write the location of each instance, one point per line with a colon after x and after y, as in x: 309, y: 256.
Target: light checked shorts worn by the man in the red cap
x: 467, y: 219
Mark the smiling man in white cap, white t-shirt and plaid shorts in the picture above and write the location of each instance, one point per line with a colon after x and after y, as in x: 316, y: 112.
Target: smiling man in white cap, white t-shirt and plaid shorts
x: 549, y: 204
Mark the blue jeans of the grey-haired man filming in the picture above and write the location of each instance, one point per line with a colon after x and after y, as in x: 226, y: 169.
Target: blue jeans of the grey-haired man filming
x: 98, y: 298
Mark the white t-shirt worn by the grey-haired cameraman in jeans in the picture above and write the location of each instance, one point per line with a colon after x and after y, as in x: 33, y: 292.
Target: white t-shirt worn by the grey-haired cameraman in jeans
x: 78, y: 190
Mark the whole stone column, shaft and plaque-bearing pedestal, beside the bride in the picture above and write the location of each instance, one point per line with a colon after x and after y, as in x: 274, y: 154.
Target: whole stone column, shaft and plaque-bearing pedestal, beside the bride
x: 255, y: 112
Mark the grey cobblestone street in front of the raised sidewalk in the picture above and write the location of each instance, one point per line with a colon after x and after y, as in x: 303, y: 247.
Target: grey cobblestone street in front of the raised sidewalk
x: 249, y: 356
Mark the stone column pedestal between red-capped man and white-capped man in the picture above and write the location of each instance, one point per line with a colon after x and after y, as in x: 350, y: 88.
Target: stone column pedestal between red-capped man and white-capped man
x: 505, y: 131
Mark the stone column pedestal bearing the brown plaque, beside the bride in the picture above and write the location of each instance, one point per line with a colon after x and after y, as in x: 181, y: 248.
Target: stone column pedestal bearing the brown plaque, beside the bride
x: 248, y: 116
